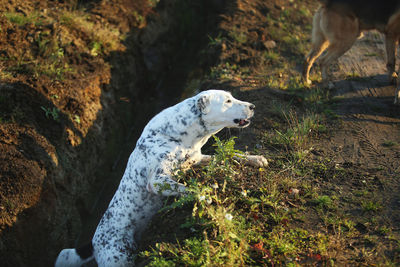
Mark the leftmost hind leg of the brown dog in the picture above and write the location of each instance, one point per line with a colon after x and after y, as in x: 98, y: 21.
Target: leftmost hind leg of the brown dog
x: 319, y: 44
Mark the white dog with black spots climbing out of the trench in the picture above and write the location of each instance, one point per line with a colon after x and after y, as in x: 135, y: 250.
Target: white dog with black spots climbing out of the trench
x: 172, y: 140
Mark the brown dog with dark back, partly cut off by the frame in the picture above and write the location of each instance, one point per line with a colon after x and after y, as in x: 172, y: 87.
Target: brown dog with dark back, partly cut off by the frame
x: 338, y: 23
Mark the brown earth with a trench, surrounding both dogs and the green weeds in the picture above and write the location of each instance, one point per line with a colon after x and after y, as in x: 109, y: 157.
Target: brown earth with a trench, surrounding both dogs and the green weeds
x: 80, y: 79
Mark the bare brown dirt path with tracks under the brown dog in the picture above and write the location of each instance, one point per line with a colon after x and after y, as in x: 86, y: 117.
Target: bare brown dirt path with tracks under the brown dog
x: 369, y: 137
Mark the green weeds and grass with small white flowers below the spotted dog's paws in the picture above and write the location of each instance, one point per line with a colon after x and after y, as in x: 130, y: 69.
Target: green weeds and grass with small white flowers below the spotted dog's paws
x: 234, y: 227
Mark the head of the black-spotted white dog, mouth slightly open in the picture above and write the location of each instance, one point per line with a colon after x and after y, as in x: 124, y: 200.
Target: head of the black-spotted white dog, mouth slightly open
x: 220, y: 109
